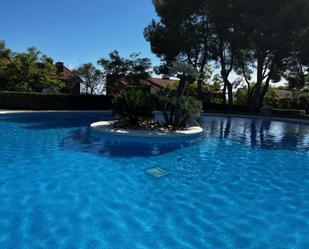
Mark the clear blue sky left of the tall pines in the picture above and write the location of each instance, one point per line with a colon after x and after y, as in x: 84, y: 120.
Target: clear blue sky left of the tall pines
x: 77, y: 31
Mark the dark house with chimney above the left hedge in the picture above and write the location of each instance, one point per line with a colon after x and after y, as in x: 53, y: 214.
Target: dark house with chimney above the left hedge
x: 71, y: 81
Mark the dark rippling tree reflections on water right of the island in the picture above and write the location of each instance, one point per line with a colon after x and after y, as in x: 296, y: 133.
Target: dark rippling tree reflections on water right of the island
x: 258, y: 133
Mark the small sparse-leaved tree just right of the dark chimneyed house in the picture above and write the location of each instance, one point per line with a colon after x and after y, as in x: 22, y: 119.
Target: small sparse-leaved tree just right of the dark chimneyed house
x: 93, y: 78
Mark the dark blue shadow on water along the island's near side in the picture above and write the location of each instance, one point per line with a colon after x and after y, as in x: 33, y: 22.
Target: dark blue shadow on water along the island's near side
x: 90, y: 141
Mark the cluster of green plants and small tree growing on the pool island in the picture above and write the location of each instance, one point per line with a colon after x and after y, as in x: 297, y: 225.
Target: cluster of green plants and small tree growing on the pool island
x: 134, y: 108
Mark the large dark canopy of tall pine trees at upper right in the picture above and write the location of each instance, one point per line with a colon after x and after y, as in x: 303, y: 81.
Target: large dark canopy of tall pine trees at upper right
x: 262, y: 40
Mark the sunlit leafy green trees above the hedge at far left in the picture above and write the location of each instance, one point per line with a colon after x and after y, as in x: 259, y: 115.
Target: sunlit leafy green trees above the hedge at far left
x: 30, y: 71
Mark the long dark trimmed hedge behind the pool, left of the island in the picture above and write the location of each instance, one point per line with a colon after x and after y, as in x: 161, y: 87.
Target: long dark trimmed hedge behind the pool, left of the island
x: 41, y: 101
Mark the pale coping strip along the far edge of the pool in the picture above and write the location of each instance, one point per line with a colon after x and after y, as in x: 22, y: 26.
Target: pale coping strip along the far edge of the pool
x: 294, y: 120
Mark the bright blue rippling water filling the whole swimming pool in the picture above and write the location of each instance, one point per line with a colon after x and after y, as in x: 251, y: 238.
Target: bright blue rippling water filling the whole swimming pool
x: 243, y: 184
